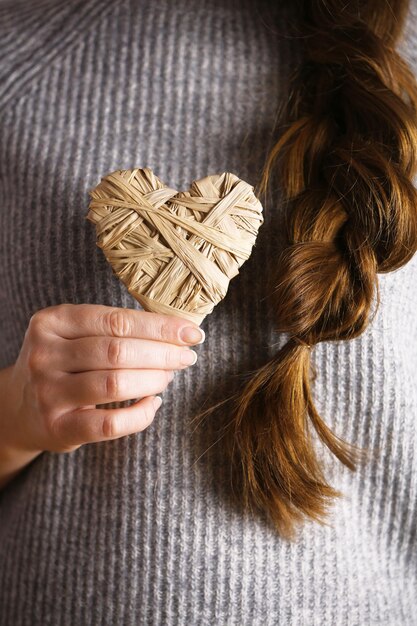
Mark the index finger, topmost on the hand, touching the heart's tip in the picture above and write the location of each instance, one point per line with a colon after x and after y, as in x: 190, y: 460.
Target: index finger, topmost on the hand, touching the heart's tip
x: 72, y: 321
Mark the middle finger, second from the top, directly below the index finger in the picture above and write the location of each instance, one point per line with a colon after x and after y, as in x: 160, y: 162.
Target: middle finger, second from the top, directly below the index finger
x: 94, y: 353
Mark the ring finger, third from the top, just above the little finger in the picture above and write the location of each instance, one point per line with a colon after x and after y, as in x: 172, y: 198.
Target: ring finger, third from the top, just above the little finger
x: 103, y: 386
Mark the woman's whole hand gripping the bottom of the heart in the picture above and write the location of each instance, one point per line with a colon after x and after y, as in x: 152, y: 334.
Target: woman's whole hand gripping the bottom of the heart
x: 75, y: 356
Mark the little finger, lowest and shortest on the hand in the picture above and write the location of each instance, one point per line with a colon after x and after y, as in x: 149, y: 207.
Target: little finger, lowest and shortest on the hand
x: 92, y: 425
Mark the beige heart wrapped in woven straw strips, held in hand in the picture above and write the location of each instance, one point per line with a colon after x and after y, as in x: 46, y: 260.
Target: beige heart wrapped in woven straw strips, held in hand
x: 175, y: 251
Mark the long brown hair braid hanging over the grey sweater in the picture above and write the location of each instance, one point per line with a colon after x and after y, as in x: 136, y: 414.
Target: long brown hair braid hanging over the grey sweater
x: 345, y: 163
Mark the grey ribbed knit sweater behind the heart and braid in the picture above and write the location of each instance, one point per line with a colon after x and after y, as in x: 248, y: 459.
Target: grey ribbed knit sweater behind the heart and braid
x: 140, y: 530
